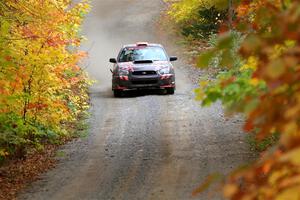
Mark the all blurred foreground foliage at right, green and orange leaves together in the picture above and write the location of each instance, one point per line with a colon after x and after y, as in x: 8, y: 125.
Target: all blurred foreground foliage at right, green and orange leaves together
x: 264, y: 85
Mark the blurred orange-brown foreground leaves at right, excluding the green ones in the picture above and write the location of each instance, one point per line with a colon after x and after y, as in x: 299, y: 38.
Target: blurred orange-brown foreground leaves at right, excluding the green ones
x: 273, y: 37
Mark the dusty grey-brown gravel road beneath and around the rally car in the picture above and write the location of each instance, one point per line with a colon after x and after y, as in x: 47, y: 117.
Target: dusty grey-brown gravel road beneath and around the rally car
x: 144, y: 146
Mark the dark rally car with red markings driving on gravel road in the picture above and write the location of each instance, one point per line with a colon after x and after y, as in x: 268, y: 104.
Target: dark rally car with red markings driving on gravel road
x: 142, y: 66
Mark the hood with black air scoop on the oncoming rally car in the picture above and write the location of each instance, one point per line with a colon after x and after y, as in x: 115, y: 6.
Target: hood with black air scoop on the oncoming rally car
x: 155, y: 66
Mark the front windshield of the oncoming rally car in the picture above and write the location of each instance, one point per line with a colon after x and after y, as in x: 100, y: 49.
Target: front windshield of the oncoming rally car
x: 130, y: 54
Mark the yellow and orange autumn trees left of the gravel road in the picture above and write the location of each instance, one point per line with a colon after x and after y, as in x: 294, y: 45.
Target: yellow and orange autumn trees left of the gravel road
x: 43, y: 91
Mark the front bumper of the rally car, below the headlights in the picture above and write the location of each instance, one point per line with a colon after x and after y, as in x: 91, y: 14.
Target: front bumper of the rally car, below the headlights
x: 143, y: 82
